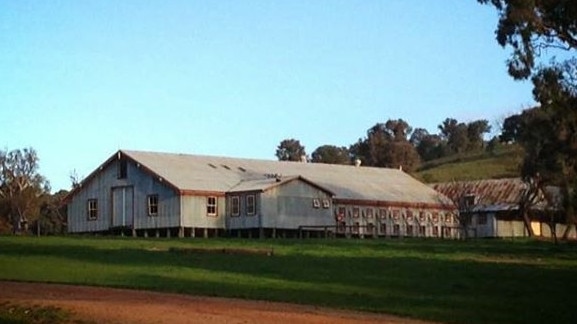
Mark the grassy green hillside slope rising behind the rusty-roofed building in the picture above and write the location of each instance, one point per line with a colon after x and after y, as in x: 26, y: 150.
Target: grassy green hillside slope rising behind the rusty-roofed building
x: 504, y: 162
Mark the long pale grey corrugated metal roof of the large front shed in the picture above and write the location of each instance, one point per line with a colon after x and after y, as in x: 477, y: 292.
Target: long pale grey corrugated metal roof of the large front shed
x: 221, y: 174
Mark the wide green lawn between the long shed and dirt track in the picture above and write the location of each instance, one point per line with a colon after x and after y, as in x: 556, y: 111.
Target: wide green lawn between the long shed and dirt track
x: 446, y: 281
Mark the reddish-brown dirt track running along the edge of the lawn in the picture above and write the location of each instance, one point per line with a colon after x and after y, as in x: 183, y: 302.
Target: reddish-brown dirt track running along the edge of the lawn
x: 105, y: 305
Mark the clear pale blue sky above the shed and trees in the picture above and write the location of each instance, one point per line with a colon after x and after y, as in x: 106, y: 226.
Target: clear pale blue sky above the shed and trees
x: 81, y: 79
